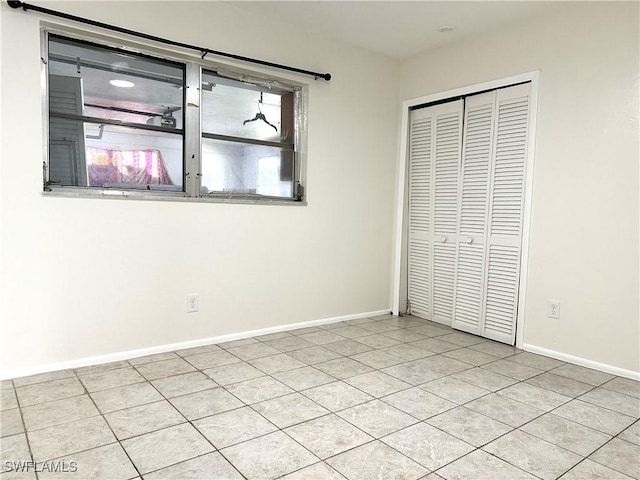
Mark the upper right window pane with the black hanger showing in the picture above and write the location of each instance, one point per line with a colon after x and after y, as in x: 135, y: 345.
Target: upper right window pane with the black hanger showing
x: 234, y: 108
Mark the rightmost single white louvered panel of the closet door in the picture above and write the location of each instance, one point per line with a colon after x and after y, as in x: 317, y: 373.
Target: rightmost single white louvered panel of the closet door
x: 506, y: 201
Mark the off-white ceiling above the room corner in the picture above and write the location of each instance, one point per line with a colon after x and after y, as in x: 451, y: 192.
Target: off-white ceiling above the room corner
x: 398, y: 29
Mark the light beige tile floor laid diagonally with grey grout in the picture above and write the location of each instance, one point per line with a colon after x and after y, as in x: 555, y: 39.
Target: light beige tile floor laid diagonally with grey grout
x: 375, y: 398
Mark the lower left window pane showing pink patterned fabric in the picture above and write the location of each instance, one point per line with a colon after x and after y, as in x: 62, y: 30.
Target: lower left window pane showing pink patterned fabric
x: 108, y: 156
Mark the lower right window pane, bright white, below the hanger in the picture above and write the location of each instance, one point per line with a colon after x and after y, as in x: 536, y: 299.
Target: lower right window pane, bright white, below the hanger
x: 237, y: 168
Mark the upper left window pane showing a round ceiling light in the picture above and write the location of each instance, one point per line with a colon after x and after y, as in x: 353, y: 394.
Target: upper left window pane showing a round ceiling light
x: 98, y: 82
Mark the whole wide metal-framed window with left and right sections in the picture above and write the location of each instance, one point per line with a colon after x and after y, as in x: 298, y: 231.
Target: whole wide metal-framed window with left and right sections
x: 130, y: 123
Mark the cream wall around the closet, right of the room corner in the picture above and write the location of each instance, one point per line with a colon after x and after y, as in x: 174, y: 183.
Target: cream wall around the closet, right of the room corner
x: 584, y: 226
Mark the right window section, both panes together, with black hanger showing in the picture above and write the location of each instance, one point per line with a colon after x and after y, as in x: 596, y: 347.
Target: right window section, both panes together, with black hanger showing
x: 247, y: 138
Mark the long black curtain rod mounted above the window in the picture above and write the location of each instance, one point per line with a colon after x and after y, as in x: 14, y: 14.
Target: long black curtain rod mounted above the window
x: 204, y: 51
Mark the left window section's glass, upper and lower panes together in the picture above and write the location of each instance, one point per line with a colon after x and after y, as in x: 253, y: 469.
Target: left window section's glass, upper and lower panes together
x: 88, y: 84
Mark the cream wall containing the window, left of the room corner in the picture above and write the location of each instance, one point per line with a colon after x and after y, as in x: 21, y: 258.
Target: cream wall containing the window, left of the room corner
x: 87, y: 277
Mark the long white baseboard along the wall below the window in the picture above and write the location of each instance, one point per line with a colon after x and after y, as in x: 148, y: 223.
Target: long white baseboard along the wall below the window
x: 115, y: 357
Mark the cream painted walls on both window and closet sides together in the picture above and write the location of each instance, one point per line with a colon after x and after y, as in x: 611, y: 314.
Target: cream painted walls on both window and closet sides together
x: 87, y: 277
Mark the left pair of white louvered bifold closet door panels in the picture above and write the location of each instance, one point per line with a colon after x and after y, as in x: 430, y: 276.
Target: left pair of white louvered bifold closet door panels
x: 435, y: 142
